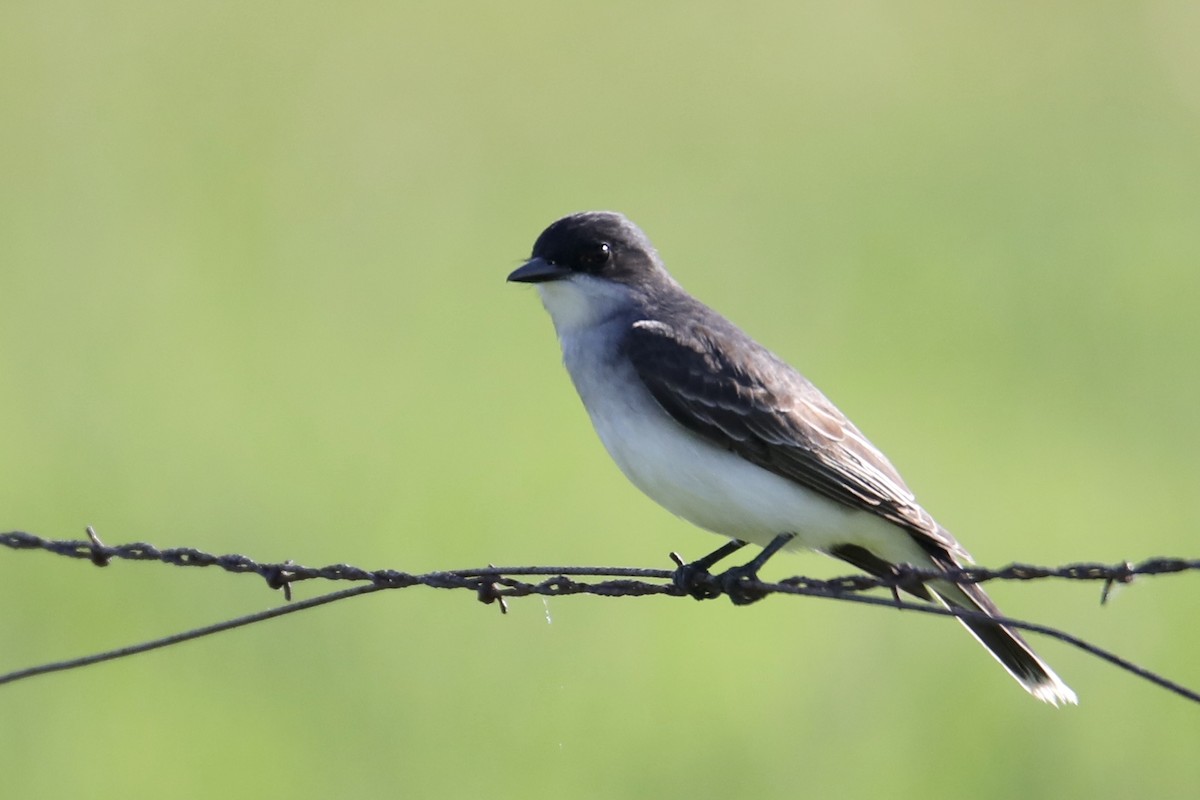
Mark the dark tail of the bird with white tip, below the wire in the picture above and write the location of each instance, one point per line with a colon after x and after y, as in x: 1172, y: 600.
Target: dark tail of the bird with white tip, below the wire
x: 1005, y: 643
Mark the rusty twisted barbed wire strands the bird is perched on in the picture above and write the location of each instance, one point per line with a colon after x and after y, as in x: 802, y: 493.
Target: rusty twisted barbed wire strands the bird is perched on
x: 495, y: 585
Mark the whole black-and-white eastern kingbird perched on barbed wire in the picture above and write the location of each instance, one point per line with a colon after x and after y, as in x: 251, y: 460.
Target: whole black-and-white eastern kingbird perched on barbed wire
x: 722, y: 432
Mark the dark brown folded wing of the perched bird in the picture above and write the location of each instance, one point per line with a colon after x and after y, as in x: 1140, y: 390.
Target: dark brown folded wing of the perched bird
x: 745, y: 399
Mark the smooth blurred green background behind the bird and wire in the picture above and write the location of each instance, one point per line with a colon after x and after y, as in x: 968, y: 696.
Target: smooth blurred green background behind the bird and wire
x: 253, y: 300
